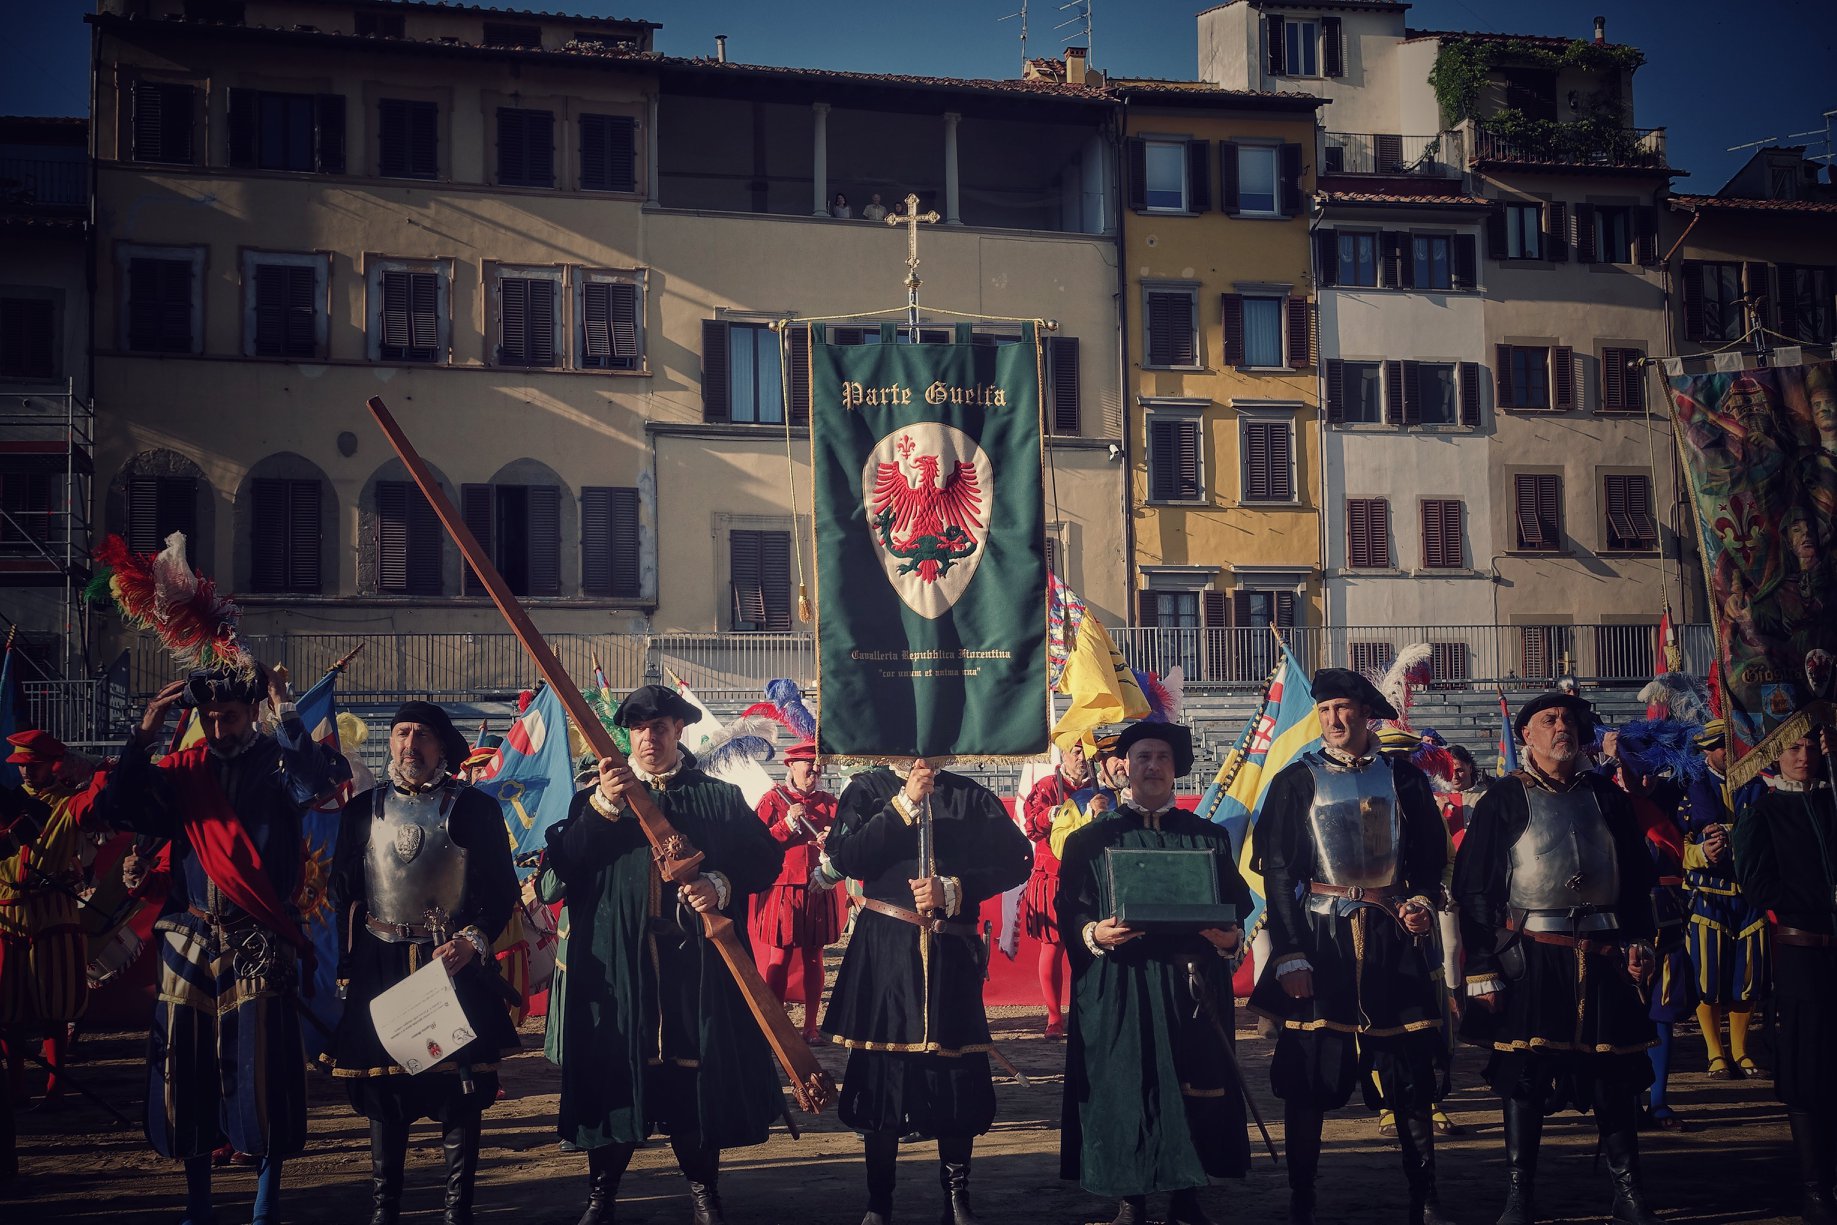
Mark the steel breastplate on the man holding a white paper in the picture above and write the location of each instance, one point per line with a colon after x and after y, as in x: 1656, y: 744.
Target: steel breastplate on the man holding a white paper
x: 414, y: 866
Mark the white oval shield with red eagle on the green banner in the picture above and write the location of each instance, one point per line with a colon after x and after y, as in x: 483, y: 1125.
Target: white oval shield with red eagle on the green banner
x: 929, y: 491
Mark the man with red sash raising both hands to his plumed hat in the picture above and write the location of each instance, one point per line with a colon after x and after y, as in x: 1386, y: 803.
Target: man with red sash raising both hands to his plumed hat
x: 225, y: 1061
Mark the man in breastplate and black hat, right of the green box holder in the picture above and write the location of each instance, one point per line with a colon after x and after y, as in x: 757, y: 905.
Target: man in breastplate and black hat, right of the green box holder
x: 1353, y: 851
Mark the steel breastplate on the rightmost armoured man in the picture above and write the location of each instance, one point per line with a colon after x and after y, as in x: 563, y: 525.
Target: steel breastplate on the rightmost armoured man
x: 1566, y: 860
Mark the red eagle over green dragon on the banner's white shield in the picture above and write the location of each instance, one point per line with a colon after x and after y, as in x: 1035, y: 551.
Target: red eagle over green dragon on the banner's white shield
x: 930, y: 526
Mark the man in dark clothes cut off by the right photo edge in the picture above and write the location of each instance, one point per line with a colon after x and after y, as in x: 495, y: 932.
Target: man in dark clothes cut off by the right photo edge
x: 1786, y: 860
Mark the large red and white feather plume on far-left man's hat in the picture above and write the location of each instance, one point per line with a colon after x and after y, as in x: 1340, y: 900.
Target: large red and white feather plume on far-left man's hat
x: 161, y: 592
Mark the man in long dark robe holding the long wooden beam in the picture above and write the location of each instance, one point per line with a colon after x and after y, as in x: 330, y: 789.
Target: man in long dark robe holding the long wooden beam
x: 655, y: 1031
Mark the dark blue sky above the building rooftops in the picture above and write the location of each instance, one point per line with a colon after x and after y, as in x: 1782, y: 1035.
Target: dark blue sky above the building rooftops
x: 1719, y: 74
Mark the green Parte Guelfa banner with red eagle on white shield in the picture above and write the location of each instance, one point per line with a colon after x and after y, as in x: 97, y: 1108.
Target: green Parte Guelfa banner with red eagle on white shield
x: 930, y: 548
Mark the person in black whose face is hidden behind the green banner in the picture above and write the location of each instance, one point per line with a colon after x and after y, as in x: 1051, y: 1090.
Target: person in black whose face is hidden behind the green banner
x: 908, y: 998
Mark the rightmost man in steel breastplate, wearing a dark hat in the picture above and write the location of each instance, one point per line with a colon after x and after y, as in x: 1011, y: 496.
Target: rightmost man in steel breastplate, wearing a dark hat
x: 1555, y: 892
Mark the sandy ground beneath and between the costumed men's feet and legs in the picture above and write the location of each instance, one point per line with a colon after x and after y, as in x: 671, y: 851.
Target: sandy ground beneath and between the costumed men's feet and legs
x: 80, y: 1167
